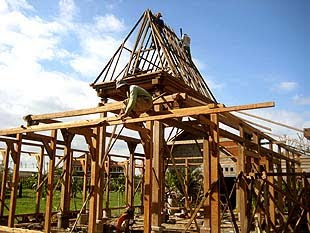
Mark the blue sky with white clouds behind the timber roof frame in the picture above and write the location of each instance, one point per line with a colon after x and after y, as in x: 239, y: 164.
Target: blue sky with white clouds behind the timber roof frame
x: 248, y: 51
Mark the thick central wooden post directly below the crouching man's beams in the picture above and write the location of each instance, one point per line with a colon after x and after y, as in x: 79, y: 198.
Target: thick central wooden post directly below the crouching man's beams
x: 158, y: 174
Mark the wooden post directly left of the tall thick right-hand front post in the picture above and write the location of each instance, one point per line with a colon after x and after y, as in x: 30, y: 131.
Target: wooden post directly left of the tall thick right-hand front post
x: 206, y: 186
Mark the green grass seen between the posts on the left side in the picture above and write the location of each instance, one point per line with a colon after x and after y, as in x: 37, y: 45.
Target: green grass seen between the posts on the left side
x: 26, y: 204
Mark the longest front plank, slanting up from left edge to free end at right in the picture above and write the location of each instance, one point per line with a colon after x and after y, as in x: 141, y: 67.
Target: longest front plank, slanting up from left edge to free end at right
x: 144, y: 117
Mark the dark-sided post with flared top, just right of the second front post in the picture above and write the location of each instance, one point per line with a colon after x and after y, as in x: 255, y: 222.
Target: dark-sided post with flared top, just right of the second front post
x: 65, y: 186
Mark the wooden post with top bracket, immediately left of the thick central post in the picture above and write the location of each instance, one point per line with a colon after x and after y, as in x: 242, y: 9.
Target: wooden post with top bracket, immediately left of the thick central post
x: 148, y: 150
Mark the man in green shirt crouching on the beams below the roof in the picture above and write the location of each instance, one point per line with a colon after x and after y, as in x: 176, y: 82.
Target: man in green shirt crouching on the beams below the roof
x: 138, y: 102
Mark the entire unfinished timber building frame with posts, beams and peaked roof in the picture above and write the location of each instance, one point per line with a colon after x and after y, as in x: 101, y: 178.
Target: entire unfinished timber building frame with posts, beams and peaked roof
x: 182, y: 100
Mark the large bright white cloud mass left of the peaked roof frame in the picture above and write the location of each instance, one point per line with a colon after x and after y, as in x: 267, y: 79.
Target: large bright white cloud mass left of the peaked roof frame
x: 29, y: 86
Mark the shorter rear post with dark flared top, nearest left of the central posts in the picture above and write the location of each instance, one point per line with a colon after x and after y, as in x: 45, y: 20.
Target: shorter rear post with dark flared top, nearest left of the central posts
x: 131, y: 171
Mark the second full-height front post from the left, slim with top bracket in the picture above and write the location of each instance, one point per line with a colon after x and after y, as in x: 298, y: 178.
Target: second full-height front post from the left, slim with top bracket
x: 51, y: 148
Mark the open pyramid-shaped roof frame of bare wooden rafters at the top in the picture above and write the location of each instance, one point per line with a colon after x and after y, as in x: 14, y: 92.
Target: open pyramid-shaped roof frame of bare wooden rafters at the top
x: 156, y: 48
